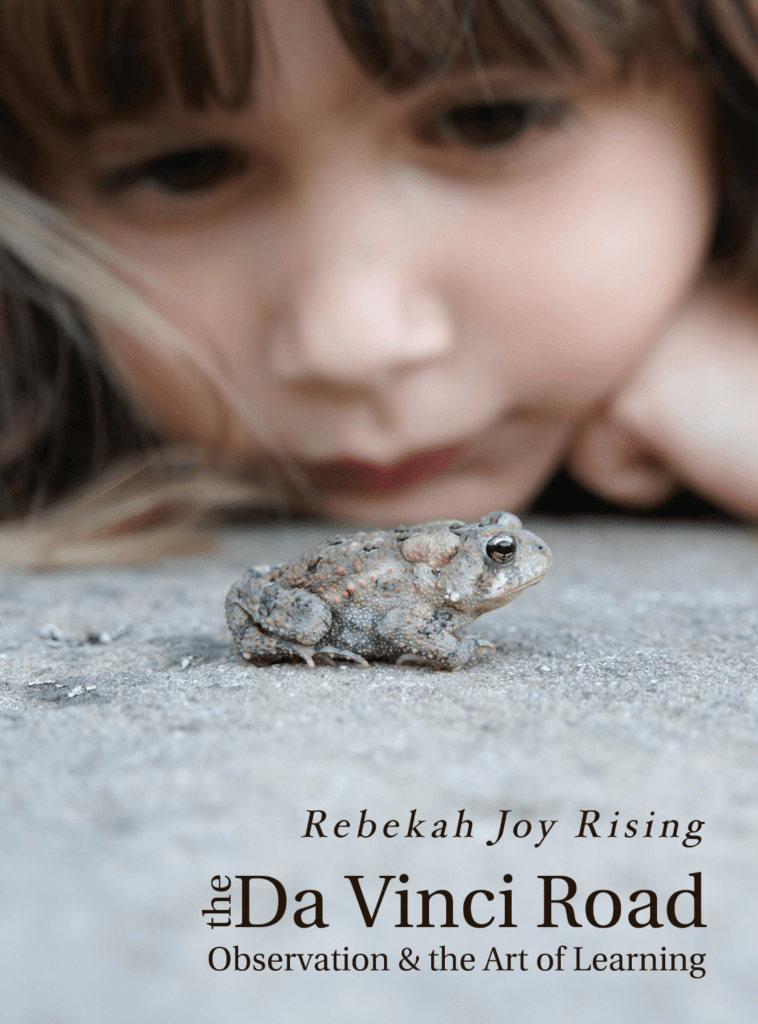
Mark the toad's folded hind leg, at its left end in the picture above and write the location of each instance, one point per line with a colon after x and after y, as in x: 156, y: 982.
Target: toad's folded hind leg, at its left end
x: 271, y: 623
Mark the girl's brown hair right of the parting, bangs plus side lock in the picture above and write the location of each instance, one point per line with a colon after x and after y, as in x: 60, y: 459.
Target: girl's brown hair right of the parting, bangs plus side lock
x: 402, y: 42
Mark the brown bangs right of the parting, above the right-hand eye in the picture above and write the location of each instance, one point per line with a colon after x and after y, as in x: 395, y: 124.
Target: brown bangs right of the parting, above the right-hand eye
x: 404, y: 42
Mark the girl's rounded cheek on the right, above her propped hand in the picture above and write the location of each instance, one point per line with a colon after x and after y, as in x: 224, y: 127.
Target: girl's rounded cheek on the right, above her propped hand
x: 586, y: 263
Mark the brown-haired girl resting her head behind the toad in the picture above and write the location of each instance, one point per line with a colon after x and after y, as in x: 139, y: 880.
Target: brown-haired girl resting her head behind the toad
x: 406, y: 258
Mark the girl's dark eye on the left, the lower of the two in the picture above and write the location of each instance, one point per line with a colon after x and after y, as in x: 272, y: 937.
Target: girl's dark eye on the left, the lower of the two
x: 181, y: 174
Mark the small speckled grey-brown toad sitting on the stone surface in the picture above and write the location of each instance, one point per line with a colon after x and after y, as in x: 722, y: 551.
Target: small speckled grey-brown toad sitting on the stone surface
x: 399, y: 595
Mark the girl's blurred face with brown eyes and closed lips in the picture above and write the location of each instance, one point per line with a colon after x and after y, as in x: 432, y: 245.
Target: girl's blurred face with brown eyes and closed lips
x: 417, y: 296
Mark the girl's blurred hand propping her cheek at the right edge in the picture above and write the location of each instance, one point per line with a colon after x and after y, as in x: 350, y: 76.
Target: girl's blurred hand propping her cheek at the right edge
x: 688, y: 418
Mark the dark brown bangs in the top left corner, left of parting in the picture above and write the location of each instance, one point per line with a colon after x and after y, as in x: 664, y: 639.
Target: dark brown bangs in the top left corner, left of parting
x: 76, y: 64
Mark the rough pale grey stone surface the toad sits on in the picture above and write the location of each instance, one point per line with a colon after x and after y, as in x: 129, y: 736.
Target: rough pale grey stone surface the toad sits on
x: 136, y: 770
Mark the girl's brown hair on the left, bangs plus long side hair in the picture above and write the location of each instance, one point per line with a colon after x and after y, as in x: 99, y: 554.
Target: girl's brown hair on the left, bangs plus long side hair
x: 67, y: 66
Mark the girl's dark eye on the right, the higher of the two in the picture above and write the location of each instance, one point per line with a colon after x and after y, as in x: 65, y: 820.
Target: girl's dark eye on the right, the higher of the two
x: 484, y: 125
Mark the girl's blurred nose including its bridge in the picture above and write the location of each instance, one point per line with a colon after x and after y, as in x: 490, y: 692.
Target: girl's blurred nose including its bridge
x: 358, y: 312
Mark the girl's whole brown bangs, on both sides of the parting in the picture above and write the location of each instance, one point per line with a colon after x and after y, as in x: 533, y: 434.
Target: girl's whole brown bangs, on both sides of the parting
x: 74, y: 65
